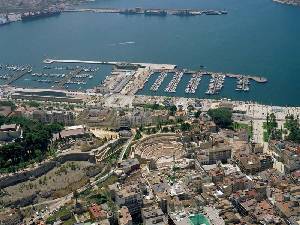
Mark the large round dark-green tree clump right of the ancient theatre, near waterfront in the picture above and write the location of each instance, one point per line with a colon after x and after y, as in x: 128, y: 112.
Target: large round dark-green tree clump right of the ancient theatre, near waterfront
x: 221, y: 116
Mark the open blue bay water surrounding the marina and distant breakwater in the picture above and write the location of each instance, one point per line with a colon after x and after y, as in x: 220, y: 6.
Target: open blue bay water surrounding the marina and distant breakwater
x: 257, y: 37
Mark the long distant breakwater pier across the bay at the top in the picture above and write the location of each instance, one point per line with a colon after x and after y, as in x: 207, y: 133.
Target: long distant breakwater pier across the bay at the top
x: 152, y: 12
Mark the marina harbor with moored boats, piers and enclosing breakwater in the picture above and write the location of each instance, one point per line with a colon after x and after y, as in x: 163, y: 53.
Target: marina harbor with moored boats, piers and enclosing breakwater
x: 126, y: 78
